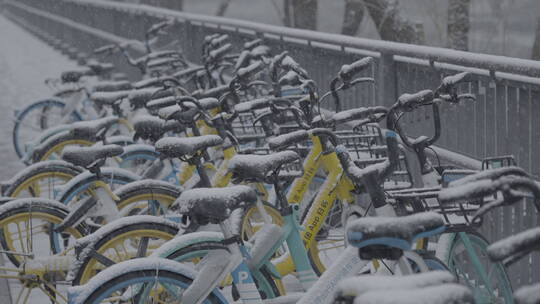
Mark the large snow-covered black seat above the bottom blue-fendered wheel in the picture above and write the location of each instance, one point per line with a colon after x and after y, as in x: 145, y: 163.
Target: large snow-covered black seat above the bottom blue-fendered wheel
x: 213, y: 205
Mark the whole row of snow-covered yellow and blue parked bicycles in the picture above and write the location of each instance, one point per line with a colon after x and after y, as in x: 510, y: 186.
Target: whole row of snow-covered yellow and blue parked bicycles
x: 229, y: 181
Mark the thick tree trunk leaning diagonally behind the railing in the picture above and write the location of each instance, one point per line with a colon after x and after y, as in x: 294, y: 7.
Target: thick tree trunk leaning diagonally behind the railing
x: 390, y: 24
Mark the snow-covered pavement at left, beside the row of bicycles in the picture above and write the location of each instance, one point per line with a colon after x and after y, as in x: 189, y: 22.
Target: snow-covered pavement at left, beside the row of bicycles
x: 25, y: 62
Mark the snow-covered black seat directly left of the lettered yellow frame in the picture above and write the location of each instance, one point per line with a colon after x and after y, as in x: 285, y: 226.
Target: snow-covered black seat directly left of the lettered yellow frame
x: 256, y: 167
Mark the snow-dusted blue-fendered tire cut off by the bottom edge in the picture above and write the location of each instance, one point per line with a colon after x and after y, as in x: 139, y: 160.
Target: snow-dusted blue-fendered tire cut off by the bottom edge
x: 151, y: 275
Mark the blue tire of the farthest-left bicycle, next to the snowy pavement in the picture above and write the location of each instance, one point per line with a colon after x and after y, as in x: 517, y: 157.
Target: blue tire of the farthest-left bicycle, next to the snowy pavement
x: 38, y: 105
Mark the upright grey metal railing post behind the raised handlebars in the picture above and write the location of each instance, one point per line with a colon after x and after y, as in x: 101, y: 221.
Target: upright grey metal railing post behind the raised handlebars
x: 386, y: 81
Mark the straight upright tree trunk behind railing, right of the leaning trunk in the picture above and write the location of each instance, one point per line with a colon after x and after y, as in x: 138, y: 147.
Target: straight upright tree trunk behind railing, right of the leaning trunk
x: 458, y: 24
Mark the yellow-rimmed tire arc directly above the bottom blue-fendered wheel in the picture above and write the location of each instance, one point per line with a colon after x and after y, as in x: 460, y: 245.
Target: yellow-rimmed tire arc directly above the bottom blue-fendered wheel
x: 109, y: 240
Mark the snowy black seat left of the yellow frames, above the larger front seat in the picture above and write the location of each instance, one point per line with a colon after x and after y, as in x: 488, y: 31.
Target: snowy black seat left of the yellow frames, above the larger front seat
x: 176, y: 147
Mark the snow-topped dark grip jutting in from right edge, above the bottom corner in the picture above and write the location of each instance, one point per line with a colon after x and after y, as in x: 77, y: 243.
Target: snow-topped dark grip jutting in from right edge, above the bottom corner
x: 515, y: 245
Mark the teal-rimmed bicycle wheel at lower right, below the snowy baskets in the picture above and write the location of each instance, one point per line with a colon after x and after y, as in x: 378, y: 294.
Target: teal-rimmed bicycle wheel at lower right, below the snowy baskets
x: 480, y: 243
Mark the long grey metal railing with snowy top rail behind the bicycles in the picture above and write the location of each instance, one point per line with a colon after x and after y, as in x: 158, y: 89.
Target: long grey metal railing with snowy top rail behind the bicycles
x: 504, y: 119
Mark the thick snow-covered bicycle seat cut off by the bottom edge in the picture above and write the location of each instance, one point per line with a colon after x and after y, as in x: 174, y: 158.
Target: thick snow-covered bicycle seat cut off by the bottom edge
x: 449, y: 293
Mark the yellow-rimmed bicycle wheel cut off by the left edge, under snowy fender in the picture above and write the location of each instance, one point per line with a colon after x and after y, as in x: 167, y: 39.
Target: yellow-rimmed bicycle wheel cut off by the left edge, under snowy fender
x: 25, y: 228
